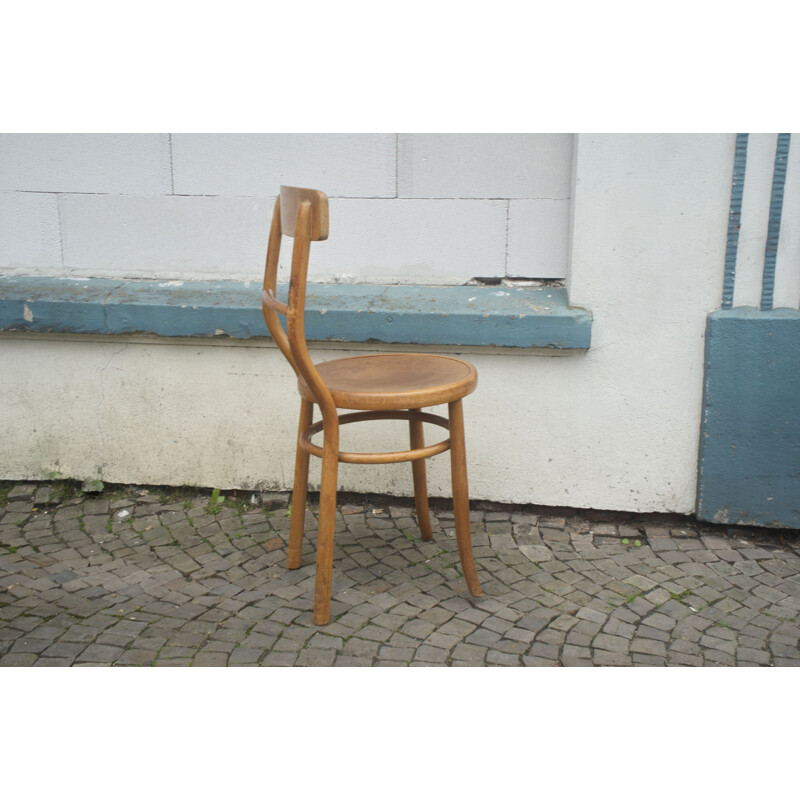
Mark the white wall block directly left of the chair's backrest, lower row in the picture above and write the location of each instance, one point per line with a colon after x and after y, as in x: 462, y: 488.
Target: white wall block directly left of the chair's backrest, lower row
x: 170, y: 237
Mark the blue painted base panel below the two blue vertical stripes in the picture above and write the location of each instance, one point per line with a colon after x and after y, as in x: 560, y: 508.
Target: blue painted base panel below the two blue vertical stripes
x: 750, y: 434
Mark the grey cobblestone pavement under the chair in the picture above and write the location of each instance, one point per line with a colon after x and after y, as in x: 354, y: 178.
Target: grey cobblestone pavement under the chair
x: 136, y: 577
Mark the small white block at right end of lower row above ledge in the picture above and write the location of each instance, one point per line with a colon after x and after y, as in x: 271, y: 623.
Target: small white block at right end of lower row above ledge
x: 538, y: 238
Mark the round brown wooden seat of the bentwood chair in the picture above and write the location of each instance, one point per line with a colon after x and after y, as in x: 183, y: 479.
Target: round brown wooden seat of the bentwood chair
x: 394, y: 381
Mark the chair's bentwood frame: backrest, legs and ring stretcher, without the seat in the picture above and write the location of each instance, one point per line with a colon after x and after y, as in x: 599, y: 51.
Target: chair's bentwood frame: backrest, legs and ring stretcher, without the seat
x: 303, y: 215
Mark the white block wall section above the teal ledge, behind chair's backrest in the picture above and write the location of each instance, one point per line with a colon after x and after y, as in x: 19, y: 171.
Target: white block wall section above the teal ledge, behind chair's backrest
x: 405, y: 208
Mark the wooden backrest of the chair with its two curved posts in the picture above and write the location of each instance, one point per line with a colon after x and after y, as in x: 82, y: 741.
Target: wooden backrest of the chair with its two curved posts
x: 303, y: 215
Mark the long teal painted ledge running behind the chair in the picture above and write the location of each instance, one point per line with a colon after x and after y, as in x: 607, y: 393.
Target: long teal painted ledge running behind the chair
x: 448, y: 315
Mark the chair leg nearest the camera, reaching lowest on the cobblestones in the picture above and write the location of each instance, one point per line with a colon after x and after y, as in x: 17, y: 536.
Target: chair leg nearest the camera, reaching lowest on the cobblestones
x: 327, y: 524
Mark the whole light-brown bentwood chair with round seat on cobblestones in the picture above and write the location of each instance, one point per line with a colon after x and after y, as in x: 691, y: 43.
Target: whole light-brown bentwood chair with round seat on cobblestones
x: 386, y: 386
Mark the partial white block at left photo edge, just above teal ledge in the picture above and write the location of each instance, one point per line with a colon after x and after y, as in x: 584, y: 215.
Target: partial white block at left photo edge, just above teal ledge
x: 29, y: 238
